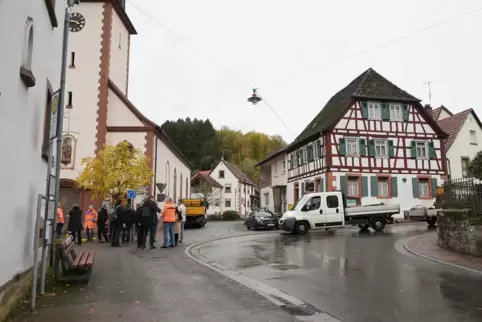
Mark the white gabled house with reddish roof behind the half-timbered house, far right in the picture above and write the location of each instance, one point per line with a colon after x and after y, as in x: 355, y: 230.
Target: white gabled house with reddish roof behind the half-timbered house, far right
x: 464, y: 131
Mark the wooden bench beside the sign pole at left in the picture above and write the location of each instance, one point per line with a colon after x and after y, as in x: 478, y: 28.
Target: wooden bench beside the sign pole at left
x: 76, y: 266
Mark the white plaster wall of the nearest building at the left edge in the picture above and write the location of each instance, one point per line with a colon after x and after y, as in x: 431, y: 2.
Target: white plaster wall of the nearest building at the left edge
x: 23, y: 172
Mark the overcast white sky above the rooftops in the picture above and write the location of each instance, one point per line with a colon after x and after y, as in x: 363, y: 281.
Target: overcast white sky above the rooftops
x: 298, y: 53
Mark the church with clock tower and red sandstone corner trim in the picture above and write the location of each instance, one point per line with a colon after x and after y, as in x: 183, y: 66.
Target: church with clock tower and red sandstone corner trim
x: 98, y: 109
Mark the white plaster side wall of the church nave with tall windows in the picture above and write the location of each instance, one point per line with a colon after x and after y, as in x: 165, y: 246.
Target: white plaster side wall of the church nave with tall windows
x: 166, y: 159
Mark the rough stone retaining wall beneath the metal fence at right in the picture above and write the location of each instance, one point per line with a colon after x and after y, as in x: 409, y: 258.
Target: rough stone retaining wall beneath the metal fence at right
x: 460, y: 231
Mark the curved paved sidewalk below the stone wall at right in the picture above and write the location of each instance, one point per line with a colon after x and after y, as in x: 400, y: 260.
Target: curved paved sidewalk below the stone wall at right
x: 426, y: 246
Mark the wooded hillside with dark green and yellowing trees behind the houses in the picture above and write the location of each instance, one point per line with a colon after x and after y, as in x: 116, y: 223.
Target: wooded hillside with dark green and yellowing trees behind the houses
x: 204, y: 145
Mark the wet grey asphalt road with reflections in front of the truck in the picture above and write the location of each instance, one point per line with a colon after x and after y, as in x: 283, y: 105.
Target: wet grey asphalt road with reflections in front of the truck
x: 354, y: 276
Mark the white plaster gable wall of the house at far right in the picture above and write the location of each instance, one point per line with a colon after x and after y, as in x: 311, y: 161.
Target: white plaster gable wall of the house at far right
x: 461, y: 147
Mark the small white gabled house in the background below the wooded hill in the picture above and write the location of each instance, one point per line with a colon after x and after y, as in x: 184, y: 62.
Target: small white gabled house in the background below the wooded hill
x: 239, y: 191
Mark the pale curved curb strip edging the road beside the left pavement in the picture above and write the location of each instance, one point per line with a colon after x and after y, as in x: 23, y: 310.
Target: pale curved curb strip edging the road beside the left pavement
x: 275, y: 296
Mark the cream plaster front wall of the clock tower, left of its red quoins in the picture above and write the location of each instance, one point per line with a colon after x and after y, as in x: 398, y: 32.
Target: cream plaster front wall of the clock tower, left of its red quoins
x: 82, y: 81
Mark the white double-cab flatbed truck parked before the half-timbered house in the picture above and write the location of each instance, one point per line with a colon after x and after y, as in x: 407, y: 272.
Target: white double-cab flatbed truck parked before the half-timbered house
x: 324, y: 210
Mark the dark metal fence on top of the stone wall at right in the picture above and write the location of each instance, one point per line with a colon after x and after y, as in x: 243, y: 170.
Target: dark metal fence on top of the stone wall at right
x: 463, y: 193
